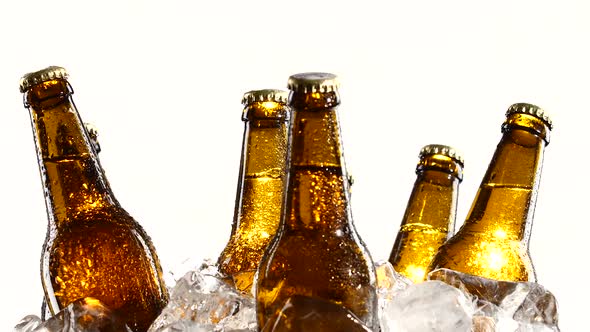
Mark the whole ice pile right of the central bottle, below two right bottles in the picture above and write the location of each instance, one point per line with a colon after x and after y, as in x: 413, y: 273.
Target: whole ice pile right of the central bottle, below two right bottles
x: 454, y: 301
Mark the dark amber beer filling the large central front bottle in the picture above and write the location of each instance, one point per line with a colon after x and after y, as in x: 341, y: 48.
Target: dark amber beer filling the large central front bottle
x: 321, y: 261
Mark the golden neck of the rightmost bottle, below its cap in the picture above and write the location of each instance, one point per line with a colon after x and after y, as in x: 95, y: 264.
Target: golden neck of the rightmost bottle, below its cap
x: 505, y: 202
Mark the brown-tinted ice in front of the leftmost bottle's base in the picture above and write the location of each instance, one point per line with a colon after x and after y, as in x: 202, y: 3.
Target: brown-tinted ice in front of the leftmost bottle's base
x: 84, y: 315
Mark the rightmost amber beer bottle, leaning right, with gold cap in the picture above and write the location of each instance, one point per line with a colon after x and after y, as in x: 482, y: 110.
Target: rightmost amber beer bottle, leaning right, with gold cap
x: 494, y: 240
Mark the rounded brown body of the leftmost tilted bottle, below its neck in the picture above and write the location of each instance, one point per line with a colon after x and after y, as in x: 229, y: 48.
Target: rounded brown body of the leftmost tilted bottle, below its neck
x: 104, y: 255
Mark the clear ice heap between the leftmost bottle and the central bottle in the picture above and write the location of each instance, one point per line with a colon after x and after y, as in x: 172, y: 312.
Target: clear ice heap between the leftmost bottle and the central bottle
x: 203, y: 300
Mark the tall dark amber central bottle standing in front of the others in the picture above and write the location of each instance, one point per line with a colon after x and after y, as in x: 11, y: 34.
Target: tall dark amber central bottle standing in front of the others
x: 316, y: 252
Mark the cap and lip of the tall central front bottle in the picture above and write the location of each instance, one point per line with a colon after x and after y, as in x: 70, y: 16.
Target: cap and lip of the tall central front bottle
x: 313, y: 91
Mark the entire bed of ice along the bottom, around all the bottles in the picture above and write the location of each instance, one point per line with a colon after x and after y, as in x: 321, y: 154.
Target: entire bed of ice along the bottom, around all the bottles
x: 203, y: 300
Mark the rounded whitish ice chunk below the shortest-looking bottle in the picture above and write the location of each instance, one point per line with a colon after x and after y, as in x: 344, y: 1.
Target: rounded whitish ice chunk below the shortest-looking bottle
x: 429, y: 306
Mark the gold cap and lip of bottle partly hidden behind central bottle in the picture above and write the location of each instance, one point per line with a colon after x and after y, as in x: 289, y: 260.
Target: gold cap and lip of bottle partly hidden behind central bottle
x: 266, y: 104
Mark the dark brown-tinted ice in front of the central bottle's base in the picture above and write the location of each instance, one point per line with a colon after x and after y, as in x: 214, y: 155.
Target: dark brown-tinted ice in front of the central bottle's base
x: 302, y: 313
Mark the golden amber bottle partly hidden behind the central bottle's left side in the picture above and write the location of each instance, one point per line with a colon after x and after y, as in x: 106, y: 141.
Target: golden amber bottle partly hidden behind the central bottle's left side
x: 260, y: 185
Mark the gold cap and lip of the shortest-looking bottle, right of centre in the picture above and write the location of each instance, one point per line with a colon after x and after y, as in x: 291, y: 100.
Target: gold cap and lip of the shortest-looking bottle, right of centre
x: 442, y: 158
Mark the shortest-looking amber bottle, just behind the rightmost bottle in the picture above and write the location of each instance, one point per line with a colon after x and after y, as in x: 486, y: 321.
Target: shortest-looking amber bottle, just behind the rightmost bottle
x: 429, y: 219
